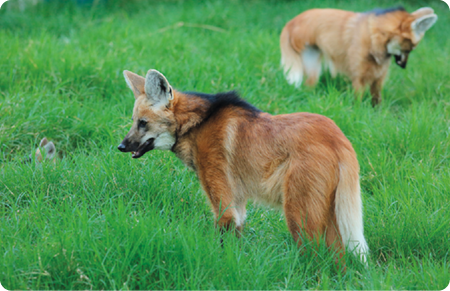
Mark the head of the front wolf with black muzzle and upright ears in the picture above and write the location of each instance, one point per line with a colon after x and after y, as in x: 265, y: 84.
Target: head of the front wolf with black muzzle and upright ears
x: 154, y: 123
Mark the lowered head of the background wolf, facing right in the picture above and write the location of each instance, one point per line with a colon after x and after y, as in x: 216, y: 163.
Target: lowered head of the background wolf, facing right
x: 397, y: 33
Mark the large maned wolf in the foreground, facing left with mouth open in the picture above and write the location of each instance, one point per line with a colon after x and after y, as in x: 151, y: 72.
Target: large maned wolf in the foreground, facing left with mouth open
x: 300, y: 162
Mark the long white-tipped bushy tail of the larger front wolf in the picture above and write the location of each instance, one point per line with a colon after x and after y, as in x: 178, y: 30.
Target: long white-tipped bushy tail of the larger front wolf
x: 349, y: 209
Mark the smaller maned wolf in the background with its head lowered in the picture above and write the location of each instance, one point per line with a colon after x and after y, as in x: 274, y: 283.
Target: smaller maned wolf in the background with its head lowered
x: 359, y: 45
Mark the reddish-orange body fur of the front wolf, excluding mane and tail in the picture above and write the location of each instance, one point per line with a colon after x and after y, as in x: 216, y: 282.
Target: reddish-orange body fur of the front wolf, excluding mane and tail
x: 311, y: 144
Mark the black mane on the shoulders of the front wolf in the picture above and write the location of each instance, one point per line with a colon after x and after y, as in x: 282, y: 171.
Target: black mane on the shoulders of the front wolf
x: 223, y: 100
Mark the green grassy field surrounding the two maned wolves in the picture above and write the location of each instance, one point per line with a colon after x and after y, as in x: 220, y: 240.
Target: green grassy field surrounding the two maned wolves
x: 98, y: 220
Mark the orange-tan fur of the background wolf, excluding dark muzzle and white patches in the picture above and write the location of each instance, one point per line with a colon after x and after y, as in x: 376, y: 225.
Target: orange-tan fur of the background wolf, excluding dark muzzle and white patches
x: 354, y: 42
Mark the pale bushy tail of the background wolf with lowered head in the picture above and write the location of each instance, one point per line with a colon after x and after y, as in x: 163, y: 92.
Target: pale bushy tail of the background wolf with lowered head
x: 290, y: 60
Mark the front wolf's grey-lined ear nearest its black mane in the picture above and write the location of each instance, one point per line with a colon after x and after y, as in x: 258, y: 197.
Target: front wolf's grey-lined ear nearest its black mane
x: 157, y: 89
